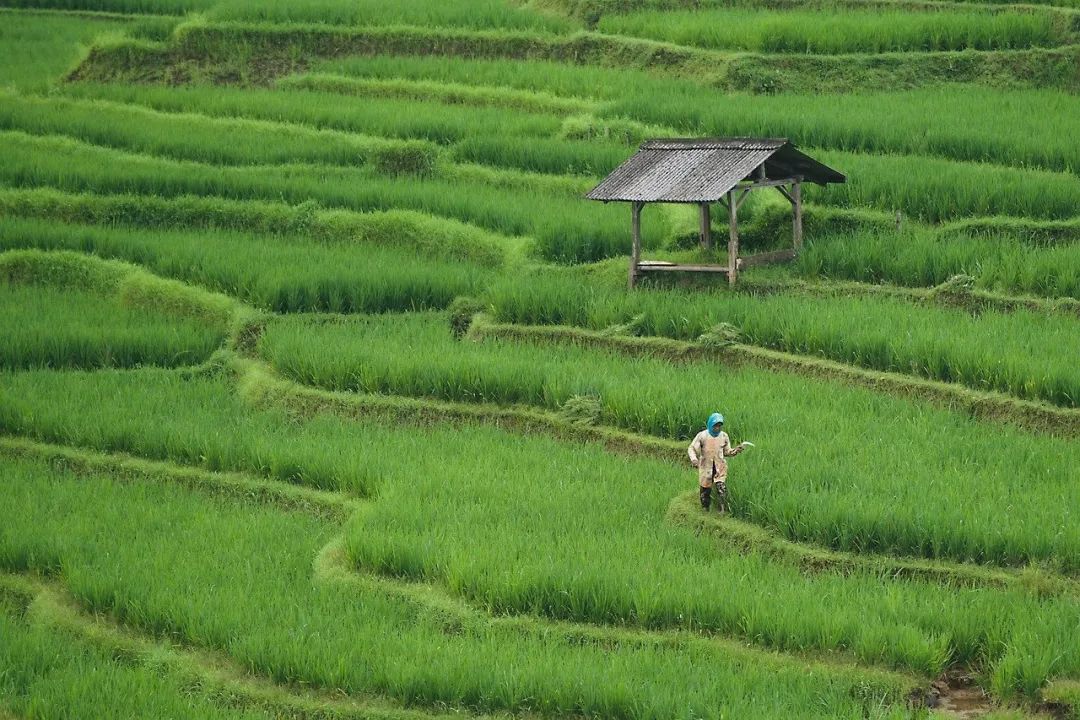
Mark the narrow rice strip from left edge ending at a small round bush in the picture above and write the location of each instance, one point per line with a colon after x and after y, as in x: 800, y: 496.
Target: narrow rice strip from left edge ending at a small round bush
x: 187, y: 137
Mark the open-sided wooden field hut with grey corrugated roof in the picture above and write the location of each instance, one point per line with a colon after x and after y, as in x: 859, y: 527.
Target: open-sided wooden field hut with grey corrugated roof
x: 722, y: 170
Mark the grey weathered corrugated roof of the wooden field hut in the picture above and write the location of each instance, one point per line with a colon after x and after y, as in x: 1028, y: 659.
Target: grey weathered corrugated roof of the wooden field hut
x: 703, y: 171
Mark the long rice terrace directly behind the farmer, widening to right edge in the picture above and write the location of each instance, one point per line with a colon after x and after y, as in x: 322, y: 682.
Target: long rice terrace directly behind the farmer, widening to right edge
x: 887, y: 501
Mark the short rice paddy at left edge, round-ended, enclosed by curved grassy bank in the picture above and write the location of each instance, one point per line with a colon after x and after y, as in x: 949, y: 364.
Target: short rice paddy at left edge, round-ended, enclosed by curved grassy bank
x: 50, y: 328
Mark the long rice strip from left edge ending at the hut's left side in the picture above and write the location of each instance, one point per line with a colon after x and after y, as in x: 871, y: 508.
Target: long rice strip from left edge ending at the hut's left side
x: 566, y: 229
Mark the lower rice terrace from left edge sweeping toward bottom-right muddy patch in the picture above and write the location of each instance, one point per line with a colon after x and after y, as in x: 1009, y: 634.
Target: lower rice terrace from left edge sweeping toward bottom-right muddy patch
x: 247, y: 592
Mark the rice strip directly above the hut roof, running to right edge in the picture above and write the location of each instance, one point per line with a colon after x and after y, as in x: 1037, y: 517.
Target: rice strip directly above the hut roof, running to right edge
x: 1011, y: 127
